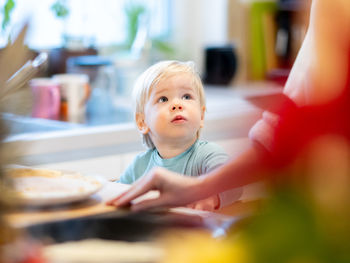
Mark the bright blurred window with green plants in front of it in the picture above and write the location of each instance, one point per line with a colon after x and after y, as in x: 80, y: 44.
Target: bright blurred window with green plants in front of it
x: 96, y: 23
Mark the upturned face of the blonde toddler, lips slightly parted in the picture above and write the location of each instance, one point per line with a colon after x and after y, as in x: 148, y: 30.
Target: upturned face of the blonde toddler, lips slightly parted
x: 173, y: 111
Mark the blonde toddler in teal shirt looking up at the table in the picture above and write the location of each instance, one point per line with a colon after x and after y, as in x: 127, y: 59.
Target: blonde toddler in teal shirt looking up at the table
x: 169, y: 113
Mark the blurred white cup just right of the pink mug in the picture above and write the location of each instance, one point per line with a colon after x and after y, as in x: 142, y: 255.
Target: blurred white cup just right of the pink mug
x: 75, y: 91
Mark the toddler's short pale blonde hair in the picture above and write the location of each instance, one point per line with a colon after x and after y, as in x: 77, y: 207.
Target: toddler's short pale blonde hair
x: 152, y: 76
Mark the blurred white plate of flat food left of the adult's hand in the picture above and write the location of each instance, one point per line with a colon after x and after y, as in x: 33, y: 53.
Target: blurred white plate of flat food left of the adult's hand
x: 42, y: 187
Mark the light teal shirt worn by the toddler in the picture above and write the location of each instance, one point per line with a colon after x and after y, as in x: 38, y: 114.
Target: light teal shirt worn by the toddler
x: 201, y: 158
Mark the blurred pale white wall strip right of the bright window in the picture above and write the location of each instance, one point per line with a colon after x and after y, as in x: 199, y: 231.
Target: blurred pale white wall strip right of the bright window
x: 197, y: 24
